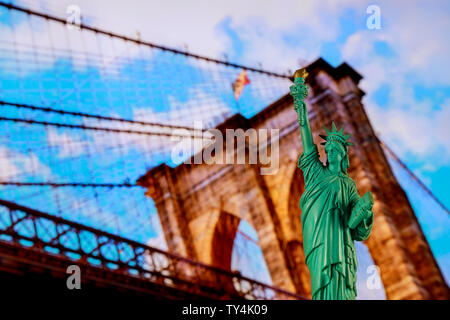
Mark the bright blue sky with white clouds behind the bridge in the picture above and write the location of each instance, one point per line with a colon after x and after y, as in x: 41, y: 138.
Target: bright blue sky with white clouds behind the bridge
x: 404, y: 66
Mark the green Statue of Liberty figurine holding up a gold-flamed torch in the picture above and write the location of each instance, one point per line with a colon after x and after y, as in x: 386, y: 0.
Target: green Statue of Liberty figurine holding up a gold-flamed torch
x: 333, y: 214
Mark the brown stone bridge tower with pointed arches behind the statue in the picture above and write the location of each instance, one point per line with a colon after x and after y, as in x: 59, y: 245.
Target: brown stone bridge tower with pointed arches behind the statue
x: 200, y: 205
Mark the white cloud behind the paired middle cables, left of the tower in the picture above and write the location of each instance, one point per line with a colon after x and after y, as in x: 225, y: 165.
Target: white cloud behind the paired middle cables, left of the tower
x: 197, y: 109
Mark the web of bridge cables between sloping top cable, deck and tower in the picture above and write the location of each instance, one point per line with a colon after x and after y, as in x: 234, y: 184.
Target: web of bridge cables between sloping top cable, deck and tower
x: 84, y: 113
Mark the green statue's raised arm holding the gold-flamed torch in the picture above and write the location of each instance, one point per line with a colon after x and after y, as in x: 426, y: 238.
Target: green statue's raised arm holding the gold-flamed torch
x: 299, y: 90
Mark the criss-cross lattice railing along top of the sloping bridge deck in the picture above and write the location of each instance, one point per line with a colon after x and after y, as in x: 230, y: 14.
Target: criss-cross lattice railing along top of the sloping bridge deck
x: 49, y: 234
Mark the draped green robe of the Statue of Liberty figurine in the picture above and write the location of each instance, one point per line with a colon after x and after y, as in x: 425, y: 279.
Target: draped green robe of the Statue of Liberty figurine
x: 328, y: 242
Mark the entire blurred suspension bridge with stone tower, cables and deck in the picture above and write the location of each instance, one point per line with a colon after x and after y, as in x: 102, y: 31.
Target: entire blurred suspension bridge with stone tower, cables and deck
x: 90, y: 119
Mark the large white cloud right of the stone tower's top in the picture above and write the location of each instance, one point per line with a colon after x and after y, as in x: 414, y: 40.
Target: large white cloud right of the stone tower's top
x: 419, y: 56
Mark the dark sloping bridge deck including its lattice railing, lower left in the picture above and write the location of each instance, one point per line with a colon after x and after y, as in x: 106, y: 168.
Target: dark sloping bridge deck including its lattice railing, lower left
x: 36, y: 248
